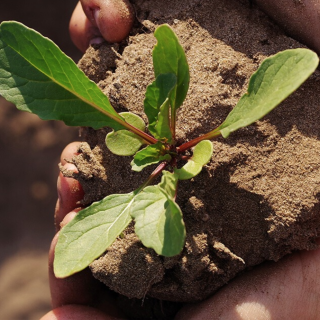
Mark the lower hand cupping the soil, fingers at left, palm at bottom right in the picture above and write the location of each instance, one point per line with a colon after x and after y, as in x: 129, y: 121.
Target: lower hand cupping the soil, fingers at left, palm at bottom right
x: 288, y: 289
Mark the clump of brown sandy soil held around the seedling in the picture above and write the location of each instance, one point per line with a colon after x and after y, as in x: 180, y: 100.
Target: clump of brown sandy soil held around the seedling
x: 257, y: 199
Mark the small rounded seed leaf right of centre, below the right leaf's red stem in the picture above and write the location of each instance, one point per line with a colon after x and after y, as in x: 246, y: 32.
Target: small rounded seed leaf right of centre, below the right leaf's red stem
x: 202, y: 154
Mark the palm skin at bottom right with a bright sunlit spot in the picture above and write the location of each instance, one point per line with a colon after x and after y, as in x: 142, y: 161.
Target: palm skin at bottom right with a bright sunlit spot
x: 288, y: 289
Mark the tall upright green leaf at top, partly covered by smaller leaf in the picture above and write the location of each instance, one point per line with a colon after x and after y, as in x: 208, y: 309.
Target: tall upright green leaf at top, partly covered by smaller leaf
x: 169, y: 57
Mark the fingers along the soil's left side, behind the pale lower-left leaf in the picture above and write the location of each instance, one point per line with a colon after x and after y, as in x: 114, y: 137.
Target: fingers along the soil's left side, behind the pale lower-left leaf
x: 80, y: 296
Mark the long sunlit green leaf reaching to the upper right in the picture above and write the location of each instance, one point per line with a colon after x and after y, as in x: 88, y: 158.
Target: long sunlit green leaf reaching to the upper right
x: 276, y: 78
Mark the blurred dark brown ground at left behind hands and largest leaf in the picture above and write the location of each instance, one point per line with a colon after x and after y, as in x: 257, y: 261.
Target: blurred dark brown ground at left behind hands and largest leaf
x: 29, y: 154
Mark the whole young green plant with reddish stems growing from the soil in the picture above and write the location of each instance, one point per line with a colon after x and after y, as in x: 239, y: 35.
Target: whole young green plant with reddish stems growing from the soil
x: 37, y: 77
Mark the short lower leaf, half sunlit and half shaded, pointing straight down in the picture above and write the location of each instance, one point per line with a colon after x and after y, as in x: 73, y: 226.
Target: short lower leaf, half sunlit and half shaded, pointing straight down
x: 158, y: 219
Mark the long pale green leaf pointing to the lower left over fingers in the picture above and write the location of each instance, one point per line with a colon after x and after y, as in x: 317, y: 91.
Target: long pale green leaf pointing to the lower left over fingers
x: 90, y: 233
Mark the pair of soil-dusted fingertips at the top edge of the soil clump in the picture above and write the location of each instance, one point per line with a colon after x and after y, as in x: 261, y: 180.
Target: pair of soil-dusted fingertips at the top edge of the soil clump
x: 95, y: 20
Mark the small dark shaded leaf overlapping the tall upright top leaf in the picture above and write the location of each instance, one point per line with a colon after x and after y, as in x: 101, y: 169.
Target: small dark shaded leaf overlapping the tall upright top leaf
x: 156, y: 105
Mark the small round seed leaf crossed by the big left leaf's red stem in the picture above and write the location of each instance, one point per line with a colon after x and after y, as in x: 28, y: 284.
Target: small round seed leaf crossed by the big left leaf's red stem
x: 124, y: 142
